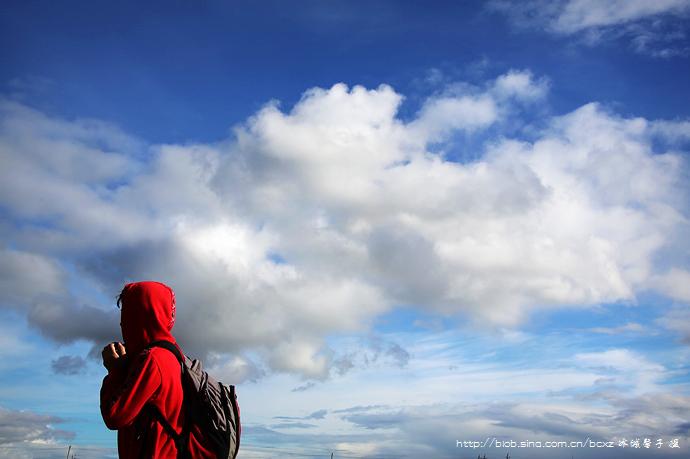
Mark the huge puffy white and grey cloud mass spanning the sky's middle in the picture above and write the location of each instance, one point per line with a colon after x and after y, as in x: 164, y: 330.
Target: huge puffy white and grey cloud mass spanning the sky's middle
x: 315, y: 221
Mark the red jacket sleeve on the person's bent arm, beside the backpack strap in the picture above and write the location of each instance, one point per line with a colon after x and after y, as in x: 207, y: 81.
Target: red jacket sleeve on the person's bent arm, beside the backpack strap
x: 125, y: 391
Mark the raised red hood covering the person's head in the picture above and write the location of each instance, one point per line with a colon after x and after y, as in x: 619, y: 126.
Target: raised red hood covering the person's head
x: 147, y: 315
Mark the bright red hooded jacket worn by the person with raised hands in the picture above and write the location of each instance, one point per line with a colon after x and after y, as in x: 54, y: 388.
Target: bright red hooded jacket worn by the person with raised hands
x: 151, y: 376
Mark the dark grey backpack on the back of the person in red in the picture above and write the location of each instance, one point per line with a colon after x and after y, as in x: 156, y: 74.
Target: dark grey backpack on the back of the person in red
x: 209, y: 404
